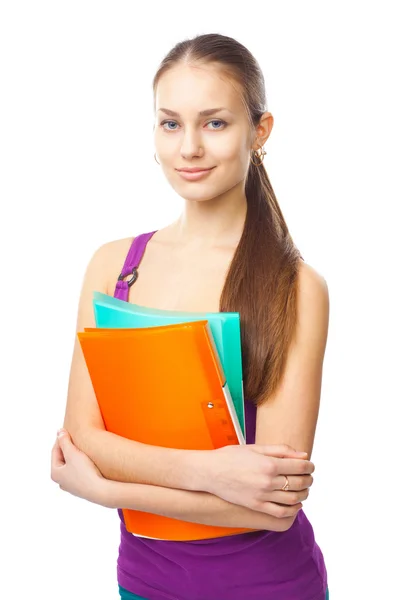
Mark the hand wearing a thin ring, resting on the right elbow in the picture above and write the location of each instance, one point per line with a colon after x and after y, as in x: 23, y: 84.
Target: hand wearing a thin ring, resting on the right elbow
x: 252, y: 475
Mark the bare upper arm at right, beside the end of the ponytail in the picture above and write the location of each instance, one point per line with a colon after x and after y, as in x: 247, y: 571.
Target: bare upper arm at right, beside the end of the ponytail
x: 291, y: 414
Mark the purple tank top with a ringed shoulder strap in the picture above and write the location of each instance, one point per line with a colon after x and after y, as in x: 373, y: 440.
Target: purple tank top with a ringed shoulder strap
x: 260, y: 565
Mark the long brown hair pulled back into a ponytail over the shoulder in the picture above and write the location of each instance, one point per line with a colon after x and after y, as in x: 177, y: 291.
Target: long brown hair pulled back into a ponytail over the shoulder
x: 262, y: 280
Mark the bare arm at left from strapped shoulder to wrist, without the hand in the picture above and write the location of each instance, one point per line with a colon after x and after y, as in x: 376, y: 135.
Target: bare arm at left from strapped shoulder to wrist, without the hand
x: 116, y: 457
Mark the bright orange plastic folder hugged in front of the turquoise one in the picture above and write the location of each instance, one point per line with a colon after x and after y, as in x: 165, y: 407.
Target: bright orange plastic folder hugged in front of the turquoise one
x: 163, y: 386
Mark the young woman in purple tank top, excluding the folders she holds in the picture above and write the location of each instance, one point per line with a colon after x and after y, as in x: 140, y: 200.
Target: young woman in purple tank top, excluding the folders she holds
x: 230, y: 250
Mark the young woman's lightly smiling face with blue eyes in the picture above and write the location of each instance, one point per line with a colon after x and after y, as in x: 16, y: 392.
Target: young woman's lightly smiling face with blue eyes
x: 184, y: 138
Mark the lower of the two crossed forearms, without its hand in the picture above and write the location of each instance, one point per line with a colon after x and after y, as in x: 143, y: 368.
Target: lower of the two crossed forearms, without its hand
x: 195, y: 507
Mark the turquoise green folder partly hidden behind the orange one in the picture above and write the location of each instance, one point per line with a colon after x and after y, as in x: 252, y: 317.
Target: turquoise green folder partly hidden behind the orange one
x: 112, y: 312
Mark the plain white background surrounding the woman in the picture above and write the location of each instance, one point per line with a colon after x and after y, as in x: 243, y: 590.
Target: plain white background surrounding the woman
x: 77, y: 170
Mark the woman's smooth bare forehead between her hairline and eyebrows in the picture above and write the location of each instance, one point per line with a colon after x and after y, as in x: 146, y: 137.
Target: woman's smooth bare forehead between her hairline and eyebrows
x: 189, y: 89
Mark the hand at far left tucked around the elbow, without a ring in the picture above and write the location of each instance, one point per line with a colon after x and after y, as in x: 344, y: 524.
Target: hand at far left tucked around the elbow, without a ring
x: 75, y: 472
